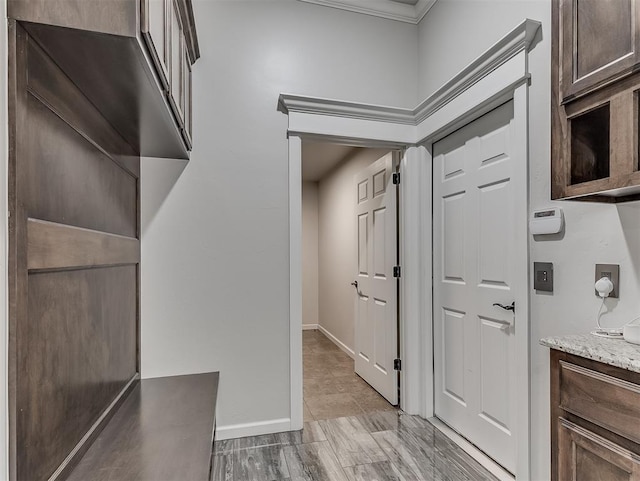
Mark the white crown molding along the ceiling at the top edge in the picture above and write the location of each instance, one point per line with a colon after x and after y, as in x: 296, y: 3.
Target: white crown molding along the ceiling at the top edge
x: 400, y: 12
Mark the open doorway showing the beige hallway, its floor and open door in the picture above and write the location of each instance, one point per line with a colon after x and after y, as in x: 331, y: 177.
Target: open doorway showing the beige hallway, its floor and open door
x: 337, y: 254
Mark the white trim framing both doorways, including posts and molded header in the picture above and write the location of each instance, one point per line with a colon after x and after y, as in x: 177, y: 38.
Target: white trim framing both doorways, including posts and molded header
x: 498, y: 75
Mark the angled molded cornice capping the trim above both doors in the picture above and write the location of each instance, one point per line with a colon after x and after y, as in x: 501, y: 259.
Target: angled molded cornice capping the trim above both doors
x: 522, y: 38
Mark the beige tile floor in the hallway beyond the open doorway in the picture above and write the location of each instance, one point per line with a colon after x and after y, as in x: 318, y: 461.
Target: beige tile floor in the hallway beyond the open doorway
x: 331, y: 388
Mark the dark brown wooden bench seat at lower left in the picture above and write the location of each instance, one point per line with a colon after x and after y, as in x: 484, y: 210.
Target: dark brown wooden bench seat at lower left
x: 163, y: 431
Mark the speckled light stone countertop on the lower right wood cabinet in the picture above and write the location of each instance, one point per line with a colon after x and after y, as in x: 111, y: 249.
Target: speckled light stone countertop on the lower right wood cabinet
x: 615, y: 352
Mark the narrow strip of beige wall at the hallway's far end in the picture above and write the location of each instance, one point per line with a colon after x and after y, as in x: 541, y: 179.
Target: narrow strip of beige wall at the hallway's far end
x: 310, y: 253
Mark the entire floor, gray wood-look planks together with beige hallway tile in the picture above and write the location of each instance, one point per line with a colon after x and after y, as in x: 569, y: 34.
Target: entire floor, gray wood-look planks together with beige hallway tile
x: 346, y: 437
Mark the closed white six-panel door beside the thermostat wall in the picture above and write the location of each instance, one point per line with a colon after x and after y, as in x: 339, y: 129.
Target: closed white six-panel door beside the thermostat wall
x: 474, y: 268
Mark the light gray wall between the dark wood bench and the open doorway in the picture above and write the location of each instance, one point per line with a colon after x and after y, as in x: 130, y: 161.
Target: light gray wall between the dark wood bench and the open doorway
x: 215, y: 256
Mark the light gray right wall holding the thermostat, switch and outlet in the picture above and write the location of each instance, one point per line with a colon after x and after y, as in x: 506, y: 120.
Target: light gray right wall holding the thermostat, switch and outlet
x: 453, y: 33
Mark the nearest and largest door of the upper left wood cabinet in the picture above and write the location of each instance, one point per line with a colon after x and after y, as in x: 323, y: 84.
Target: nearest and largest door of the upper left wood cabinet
x: 155, y: 22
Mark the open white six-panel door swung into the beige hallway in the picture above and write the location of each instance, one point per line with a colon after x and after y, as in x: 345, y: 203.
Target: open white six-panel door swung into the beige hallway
x: 376, y: 326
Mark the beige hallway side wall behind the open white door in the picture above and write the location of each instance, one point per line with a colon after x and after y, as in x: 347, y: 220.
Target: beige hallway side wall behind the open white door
x: 337, y: 245
